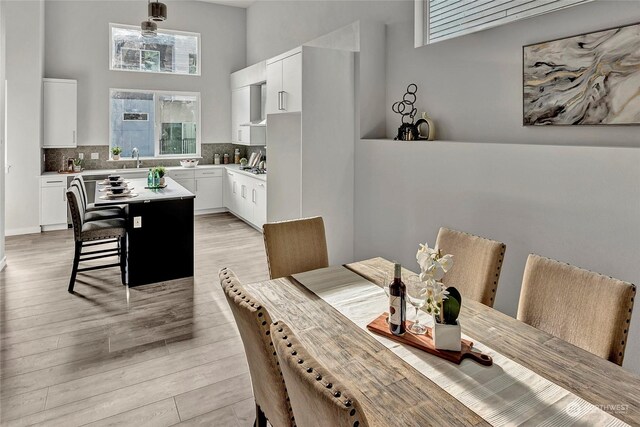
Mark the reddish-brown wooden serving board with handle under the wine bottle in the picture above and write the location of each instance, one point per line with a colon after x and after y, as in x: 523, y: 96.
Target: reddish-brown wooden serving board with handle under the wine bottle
x: 425, y: 343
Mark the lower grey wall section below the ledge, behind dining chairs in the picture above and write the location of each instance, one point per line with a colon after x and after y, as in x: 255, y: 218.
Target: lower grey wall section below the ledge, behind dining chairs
x: 576, y: 204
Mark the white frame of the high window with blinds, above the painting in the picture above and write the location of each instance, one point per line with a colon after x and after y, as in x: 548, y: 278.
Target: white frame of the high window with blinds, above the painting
x: 422, y: 30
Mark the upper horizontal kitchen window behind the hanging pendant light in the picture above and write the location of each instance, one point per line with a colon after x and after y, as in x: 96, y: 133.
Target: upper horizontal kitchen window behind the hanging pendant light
x: 172, y: 52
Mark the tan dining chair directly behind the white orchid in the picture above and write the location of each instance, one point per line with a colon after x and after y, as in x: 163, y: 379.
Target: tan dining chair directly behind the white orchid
x: 476, y: 266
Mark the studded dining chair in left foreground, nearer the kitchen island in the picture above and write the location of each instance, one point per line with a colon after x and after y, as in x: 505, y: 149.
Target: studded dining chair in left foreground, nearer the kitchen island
x: 253, y: 320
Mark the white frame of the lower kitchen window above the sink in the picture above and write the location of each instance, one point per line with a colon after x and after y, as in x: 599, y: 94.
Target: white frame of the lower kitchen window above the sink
x: 157, y: 124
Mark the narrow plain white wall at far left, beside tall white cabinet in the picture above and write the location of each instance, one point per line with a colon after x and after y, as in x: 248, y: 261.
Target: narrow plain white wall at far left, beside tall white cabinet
x: 24, y: 68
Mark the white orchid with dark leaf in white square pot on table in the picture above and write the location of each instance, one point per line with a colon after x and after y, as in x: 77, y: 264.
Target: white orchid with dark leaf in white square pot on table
x: 442, y: 302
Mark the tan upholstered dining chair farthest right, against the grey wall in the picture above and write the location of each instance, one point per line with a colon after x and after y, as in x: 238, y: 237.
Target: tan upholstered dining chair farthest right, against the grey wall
x: 586, y: 309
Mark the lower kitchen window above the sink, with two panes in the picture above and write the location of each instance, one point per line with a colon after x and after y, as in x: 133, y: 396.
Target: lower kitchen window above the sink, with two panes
x: 158, y: 123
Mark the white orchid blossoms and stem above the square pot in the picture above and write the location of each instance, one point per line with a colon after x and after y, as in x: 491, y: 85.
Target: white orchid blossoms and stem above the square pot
x: 433, y: 266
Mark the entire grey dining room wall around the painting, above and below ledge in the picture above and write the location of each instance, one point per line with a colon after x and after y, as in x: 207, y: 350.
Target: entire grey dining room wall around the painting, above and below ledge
x: 570, y: 193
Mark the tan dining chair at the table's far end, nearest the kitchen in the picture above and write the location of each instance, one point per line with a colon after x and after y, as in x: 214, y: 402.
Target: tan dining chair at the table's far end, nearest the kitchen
x: 295, y: 246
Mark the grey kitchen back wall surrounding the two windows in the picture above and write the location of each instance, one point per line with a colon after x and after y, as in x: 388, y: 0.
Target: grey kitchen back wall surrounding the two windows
x: 77, y: 47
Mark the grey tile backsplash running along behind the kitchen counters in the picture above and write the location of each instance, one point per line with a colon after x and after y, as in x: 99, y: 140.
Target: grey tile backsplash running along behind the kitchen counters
x: 53, y: 156
